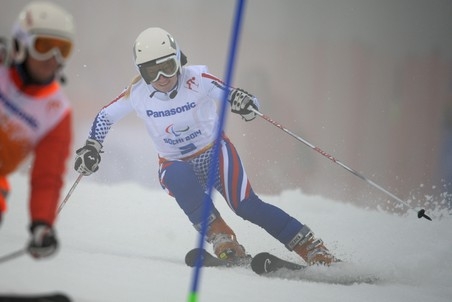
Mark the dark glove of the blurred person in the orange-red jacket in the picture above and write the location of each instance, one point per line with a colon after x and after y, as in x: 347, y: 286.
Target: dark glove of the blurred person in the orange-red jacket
x: 43, y: 242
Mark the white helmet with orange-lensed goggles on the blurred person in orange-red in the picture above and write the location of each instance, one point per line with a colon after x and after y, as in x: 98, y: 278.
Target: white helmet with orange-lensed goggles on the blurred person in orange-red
x: 44, y: 30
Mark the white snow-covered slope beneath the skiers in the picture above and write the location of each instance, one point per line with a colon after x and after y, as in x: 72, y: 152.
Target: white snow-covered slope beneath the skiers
x: 127, y: 243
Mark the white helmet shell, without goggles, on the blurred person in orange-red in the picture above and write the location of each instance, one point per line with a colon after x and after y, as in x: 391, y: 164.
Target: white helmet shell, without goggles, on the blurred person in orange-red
x: 42, y: 19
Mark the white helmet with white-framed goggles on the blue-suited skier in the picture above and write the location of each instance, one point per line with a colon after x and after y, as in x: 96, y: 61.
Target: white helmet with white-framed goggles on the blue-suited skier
x: 156, y: 53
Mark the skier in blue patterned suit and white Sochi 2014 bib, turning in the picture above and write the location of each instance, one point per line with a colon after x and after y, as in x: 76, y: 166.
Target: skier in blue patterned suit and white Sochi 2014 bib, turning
x: 178, y: 106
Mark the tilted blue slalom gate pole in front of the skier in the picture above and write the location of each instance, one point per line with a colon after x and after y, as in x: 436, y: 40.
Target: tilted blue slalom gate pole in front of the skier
x: 193, y: 295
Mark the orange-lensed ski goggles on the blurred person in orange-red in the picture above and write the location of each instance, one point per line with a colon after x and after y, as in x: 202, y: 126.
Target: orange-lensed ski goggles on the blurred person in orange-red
x: 44, y: 47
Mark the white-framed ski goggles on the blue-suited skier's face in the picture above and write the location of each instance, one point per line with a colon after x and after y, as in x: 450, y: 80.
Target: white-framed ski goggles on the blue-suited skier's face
x: 152, y: 70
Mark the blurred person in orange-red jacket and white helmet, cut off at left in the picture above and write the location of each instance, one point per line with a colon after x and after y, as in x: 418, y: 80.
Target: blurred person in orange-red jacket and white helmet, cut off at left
x: 35, y: 115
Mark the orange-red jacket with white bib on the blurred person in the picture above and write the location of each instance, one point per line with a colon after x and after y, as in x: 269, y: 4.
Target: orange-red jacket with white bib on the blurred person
x: 35, y: 120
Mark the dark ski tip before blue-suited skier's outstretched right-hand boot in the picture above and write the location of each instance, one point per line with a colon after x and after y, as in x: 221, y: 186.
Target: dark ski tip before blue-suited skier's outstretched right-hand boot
x: 265, y: 263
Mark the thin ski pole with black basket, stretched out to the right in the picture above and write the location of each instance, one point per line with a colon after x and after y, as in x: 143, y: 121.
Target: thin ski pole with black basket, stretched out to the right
x: 420, y: 213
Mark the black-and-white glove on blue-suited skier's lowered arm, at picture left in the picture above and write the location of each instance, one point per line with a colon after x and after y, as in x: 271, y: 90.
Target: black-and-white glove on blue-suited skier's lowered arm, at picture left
x: 88, y: 157
